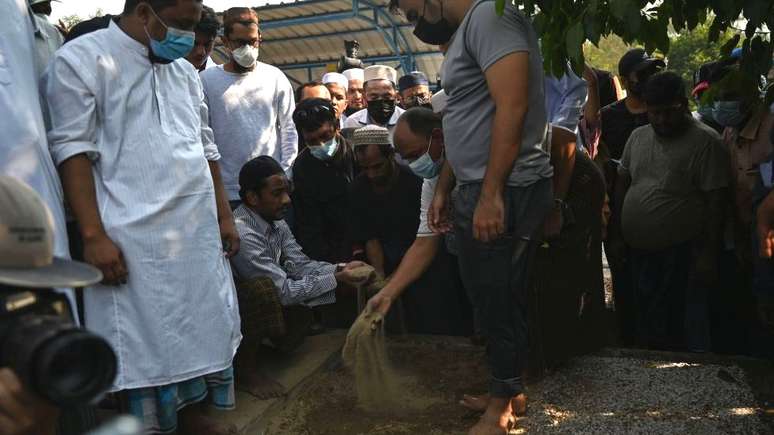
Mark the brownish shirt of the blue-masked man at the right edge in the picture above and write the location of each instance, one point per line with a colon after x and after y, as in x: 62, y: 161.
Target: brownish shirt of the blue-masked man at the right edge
x: 749, y: 147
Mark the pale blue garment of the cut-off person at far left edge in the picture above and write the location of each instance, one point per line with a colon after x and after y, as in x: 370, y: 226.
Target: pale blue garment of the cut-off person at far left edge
x: 24, y: 149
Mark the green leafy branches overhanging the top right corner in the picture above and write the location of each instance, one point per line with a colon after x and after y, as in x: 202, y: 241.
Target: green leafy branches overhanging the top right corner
x: 564, y: 25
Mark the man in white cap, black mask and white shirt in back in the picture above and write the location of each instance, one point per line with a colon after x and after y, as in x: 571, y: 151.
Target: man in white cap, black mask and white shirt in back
x: 381, y: 99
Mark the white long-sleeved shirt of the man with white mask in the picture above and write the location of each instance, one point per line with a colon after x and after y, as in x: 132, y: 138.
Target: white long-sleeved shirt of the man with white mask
x: 251, y: 115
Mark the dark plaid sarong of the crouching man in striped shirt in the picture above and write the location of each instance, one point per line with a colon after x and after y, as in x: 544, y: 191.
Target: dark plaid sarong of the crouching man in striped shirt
x: 260, y: 310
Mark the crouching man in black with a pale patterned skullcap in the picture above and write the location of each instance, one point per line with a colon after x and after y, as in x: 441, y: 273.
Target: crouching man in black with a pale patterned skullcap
x: 384, y: 199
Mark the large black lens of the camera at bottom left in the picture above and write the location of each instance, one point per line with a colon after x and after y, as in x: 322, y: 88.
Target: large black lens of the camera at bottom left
x: 61, y: 362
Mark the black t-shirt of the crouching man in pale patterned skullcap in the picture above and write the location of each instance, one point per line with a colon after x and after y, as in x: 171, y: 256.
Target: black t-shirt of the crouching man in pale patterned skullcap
x: 392, y: 217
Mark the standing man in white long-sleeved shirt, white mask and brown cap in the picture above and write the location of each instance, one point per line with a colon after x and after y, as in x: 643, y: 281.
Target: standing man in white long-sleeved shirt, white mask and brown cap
x: 251, y: 103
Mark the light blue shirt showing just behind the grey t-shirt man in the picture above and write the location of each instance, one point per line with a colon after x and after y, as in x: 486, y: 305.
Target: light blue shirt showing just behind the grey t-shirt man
x: 565, y: 98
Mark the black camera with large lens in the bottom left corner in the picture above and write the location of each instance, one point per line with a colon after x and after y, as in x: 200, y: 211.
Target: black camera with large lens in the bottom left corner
x: 48, y: 352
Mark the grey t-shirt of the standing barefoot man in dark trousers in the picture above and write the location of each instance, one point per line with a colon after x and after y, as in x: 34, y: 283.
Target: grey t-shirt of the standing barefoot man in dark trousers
x: 482, y: 39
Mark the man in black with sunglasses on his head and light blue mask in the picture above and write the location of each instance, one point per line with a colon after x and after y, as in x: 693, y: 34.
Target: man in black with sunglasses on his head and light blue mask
x: 322, y: 174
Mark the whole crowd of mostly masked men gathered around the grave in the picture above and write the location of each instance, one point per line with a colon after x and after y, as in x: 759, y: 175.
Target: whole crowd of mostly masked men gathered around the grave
x: 229, y: 213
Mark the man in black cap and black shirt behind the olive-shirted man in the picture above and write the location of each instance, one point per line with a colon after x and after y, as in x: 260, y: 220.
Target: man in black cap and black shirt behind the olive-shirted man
x: 619, y: 120
